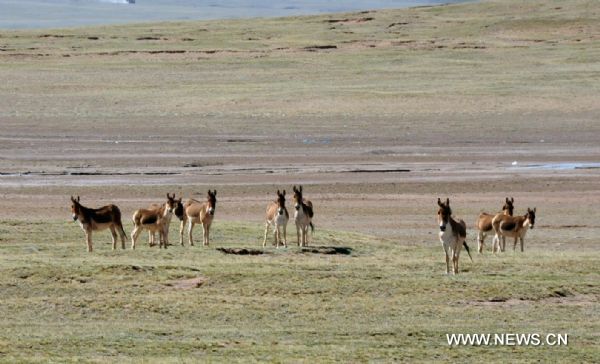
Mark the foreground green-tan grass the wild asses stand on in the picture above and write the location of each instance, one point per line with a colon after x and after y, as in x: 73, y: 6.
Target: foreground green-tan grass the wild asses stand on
x: 384, y: 301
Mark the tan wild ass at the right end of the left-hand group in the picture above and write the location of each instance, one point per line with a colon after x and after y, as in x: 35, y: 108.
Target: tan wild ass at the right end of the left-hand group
x: 198, y: 212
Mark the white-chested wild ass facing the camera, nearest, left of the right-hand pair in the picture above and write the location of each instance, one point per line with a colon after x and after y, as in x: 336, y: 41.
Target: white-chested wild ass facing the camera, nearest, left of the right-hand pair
x: 452, y: 238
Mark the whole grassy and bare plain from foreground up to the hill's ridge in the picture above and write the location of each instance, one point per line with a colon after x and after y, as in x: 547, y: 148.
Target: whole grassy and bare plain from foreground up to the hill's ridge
x: 340, y: 103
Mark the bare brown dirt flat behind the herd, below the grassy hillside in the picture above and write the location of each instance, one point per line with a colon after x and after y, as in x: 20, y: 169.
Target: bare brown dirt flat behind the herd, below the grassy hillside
x: 364, y: 184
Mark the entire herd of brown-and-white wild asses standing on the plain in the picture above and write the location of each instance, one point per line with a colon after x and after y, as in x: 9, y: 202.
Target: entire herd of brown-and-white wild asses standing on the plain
x: 157, y: 218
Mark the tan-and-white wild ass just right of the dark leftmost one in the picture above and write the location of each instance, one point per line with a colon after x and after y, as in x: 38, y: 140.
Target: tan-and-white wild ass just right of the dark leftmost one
x: 155, y: 219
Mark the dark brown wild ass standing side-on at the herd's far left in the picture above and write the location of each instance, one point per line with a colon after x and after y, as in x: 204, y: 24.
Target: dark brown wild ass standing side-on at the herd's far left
x: 106, y: 217
